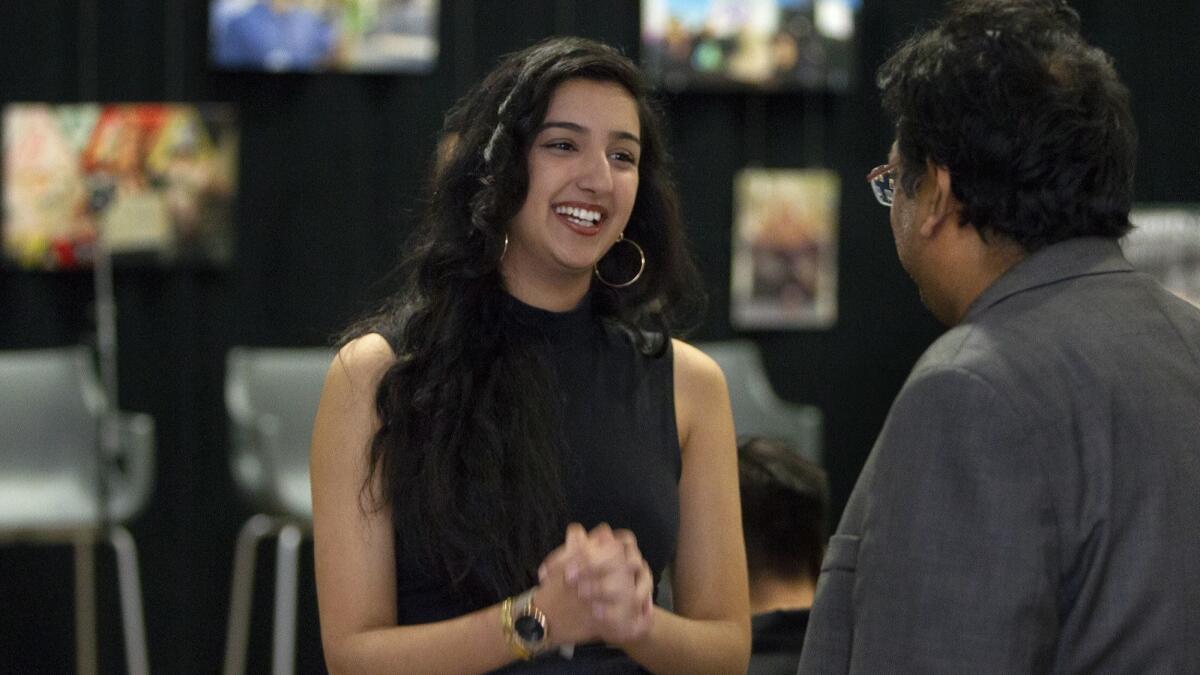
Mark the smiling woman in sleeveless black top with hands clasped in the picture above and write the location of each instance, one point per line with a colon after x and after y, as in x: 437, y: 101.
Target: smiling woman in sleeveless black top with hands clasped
x: 512, y: 453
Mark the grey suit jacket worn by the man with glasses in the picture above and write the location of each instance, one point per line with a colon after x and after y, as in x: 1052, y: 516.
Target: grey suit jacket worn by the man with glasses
x: 1033, y: 504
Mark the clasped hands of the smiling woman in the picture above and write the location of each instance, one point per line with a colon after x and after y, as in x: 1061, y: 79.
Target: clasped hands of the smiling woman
x: 597, y: 588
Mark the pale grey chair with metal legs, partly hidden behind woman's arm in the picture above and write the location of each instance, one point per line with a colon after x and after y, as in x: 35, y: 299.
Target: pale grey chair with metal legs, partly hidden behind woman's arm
x: 272, y: 397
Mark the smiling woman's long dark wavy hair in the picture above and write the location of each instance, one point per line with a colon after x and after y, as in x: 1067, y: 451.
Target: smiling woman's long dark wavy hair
x: 469, y: 450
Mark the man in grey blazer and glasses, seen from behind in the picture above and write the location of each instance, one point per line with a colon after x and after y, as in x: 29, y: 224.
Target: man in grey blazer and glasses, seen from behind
x: 1033, y: 504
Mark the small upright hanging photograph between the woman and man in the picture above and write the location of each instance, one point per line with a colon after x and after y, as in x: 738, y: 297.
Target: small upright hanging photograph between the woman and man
x: 785, y: 249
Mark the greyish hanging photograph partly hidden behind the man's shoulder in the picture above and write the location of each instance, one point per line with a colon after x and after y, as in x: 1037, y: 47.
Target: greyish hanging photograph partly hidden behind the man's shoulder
x: 1166, y: 244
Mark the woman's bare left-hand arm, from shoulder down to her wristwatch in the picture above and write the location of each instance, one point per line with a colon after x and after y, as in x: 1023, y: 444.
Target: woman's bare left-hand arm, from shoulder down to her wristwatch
x: 353, y: 541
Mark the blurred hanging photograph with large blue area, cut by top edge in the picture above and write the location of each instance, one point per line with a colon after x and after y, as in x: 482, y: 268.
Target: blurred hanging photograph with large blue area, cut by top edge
x: 325, y: 35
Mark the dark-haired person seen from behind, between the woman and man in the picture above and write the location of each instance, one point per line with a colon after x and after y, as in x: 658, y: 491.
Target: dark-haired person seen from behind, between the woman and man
x: 785, y: 504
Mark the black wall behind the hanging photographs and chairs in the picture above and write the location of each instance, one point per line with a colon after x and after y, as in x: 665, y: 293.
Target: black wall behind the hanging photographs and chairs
x: 331, y: 175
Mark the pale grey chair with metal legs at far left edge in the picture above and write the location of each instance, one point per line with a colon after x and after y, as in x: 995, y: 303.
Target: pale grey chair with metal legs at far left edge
x: 56, y: 474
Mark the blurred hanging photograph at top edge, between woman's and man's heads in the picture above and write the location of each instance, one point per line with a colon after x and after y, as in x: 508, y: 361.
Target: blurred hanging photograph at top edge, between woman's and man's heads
x: 758, y: 45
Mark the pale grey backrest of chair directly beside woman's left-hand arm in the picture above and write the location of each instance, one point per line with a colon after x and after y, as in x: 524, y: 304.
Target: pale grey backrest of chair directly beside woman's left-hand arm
x: 272, y: 397
